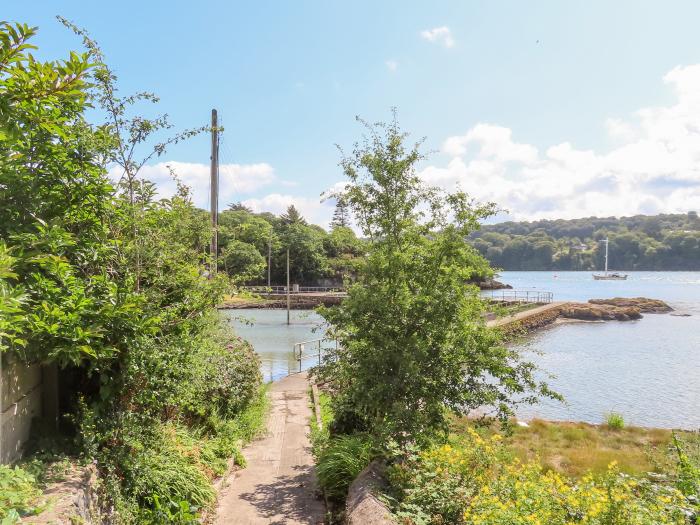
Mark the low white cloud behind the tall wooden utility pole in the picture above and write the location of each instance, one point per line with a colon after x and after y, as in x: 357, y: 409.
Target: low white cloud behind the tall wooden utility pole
x: 235, y: 180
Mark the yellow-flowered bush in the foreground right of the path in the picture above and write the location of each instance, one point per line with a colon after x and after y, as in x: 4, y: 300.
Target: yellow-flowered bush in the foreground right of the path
x: 474, y: 480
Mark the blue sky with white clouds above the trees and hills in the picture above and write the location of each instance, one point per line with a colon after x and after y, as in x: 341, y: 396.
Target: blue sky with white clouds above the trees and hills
x: 551, y: 109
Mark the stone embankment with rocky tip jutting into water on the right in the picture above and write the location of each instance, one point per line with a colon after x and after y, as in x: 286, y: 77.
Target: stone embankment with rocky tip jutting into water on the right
x: 618, y: 309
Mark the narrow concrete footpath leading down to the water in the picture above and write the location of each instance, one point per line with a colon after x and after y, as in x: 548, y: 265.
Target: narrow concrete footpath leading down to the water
x: 278, y: 486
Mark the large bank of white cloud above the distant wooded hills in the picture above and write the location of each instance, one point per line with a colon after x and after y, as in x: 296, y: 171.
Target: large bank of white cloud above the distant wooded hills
x: 653, y: 168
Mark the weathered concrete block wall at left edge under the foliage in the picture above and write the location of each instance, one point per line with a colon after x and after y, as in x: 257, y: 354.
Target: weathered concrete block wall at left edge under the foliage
x: 20, y: 402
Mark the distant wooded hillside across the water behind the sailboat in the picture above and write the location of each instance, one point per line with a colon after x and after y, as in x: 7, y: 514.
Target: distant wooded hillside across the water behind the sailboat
x: 641, y: 242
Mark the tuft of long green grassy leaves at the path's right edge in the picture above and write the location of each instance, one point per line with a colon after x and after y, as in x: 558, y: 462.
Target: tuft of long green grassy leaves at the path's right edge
x: 340, y: 461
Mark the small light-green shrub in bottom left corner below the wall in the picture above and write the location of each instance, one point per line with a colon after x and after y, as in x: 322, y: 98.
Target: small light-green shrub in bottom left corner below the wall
x: 18, y: 494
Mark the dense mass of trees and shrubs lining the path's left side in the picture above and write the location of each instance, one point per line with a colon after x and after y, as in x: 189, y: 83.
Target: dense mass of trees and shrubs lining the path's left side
x: 111, y: 285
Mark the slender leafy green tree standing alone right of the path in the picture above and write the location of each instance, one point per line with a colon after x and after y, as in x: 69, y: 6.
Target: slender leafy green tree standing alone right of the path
x: 413, y: 343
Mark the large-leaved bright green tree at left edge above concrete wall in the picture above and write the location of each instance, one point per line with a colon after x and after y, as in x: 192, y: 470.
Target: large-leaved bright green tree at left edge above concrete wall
x: 56, y: 208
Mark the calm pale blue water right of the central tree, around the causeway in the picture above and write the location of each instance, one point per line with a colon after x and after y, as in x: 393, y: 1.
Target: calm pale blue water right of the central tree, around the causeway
x: 648, y: 370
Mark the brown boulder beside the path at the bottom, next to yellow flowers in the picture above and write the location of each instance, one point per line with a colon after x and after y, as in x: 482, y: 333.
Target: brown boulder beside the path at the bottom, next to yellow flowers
x: 362, y: 505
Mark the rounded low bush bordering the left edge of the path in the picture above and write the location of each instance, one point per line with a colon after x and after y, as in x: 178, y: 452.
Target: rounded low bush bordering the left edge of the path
x: 188, y: 403
